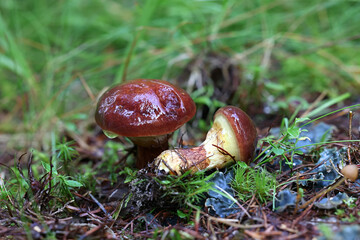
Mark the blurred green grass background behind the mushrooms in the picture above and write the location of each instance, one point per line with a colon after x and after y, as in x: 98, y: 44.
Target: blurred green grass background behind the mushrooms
x: 57, y: 56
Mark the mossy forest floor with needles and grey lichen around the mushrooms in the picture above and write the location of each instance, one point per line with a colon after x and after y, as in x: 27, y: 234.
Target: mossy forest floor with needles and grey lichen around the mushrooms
x: 121, y: 202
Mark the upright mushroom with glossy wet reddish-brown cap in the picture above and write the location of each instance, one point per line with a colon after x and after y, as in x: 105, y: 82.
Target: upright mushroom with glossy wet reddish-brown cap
x: 147, y: 111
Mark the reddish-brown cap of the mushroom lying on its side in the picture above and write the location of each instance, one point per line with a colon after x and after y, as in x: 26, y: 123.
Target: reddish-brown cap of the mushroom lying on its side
x: 244, y: 130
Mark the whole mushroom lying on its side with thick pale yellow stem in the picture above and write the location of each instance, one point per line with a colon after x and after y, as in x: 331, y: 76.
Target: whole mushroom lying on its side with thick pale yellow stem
x: 232, y: 137
